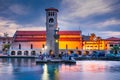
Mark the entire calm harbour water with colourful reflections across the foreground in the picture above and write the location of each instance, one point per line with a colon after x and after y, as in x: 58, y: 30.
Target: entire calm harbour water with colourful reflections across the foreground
x: 27, y: 69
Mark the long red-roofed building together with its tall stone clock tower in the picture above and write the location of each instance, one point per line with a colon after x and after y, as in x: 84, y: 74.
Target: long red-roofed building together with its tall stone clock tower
x: 34, y: 42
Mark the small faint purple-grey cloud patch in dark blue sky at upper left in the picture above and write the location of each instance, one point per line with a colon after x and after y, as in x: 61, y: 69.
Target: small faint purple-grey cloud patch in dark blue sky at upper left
x: 19, y: 9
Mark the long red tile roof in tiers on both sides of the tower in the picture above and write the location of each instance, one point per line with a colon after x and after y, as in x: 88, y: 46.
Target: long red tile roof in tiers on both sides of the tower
x: 24, y: 36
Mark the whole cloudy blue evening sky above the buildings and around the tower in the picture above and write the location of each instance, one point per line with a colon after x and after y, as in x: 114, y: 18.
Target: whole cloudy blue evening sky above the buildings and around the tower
x: 101, y: 17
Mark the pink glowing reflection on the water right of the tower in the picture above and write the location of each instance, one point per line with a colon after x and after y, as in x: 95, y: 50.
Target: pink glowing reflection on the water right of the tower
x: 84, y: 66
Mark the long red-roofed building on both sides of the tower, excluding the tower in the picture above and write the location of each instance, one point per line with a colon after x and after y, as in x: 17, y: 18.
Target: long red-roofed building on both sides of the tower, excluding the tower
x: 33, y: 42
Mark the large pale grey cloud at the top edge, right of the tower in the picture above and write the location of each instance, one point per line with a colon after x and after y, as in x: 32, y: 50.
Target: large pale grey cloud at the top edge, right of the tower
x: 85, y: 8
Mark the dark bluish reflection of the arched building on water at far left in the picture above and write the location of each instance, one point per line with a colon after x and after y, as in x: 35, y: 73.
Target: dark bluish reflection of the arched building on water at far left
x: 14, y: 65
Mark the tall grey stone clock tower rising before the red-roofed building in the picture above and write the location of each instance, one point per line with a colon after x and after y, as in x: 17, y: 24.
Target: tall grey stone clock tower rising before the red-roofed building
x: 51, y: 26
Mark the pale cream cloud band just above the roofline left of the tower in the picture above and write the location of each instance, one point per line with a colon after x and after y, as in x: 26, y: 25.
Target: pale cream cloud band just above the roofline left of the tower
x: 11, y: 26
